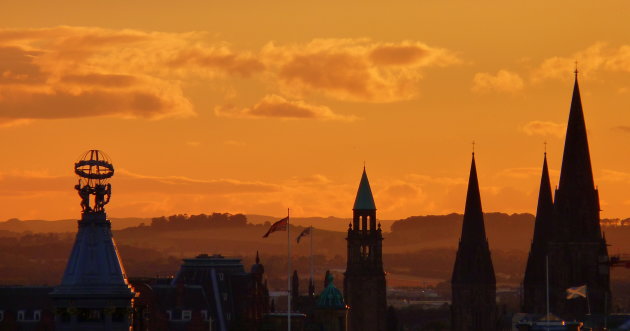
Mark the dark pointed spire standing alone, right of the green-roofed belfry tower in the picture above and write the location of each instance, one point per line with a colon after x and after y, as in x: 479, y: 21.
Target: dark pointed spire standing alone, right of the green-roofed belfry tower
x: 473, y: 282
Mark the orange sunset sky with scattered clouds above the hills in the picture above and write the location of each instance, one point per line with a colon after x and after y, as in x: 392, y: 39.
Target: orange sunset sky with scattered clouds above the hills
x: 256, y: 106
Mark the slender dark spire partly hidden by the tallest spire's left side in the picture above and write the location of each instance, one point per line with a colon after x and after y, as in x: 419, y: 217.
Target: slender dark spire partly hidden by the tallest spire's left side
x: 535, y: 280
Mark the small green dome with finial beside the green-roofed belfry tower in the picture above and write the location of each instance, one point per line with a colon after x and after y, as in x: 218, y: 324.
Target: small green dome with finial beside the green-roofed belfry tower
x: 331, y: 310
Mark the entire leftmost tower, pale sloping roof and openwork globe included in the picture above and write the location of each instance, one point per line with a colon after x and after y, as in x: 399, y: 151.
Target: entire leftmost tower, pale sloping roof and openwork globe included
x: 94, y: 293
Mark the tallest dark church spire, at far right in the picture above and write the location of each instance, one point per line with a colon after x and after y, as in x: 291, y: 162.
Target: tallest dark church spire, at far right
x: 577, y: 250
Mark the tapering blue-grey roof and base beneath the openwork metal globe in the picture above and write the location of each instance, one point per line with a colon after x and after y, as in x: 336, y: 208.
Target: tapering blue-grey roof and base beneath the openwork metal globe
x: 94, y: 293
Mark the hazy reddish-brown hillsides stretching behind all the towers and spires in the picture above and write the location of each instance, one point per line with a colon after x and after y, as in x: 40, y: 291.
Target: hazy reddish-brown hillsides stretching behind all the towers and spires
x: 417, y: 250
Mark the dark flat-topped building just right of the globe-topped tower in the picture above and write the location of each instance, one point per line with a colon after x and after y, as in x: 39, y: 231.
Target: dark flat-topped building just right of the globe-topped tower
x: 208, y: 293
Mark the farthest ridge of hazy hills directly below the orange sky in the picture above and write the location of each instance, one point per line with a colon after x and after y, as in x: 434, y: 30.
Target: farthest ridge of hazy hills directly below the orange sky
x: 504, y: 231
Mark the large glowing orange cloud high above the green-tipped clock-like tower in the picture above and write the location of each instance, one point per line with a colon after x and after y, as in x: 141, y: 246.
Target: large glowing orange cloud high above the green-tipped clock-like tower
x: 354, y: 69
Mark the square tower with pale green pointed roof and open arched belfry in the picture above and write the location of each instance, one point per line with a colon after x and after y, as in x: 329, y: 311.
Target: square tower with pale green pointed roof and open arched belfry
x: 364, y: 279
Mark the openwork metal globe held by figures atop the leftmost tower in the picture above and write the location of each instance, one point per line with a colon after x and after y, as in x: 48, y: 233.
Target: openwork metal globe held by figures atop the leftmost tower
x: 94, y: 170
